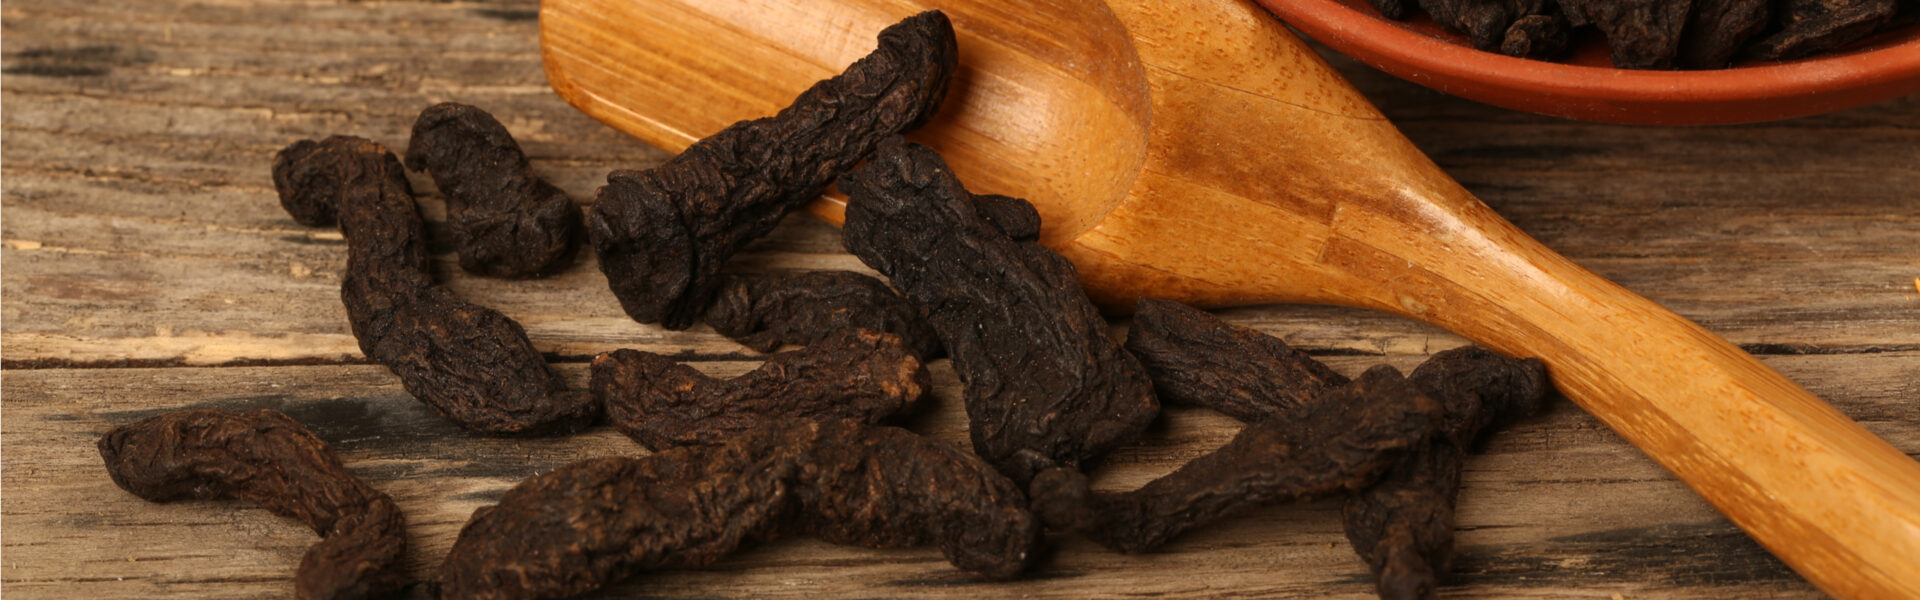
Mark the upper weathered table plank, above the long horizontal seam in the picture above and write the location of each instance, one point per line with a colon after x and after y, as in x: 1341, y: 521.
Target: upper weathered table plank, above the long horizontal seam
x: 141, y: 218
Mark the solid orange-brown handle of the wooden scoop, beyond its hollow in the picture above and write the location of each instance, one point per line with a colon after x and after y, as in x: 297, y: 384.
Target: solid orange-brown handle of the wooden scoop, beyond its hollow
x: 1305, y: 193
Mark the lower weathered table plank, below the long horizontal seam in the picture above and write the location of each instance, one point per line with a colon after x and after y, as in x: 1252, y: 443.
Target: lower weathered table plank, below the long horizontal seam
x: 1556, y: 507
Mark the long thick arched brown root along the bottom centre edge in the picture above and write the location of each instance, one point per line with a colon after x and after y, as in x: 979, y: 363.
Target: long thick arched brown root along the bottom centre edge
x: 598, y: 522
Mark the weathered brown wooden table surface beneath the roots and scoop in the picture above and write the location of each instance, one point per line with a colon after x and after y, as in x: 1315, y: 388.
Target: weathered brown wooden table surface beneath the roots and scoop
x: 149, y: 268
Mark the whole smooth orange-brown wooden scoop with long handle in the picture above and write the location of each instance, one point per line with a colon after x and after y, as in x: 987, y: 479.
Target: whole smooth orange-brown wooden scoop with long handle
x: 1197, y: 151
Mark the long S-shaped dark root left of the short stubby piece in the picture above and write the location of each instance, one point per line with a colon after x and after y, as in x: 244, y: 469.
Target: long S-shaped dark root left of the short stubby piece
x: 466, y: 362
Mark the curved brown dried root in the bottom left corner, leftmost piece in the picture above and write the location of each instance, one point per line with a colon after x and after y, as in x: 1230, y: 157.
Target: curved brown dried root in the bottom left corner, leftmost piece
x: 268, y: 459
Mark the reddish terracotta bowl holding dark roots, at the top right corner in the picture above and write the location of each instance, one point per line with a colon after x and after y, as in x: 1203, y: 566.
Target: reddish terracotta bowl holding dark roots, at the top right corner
x: 1591, y: 89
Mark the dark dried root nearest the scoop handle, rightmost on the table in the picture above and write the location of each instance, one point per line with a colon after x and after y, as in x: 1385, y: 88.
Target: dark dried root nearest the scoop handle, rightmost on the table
x: 1404, y: 524
